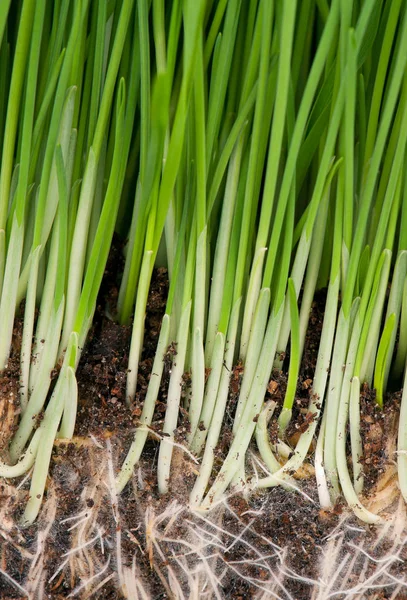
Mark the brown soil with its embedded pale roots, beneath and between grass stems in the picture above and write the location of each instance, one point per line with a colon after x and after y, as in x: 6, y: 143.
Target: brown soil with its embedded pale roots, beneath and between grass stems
x: 246, y: 541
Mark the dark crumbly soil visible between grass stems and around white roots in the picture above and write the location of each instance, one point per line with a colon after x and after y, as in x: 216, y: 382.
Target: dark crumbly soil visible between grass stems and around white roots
x: 271, y: 521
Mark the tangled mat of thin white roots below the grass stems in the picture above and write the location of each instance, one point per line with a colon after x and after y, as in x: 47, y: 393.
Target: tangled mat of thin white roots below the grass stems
x: 89, y: 542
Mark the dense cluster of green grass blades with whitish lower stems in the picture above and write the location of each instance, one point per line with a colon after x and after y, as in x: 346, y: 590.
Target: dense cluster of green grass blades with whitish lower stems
x: 257, y: 149
